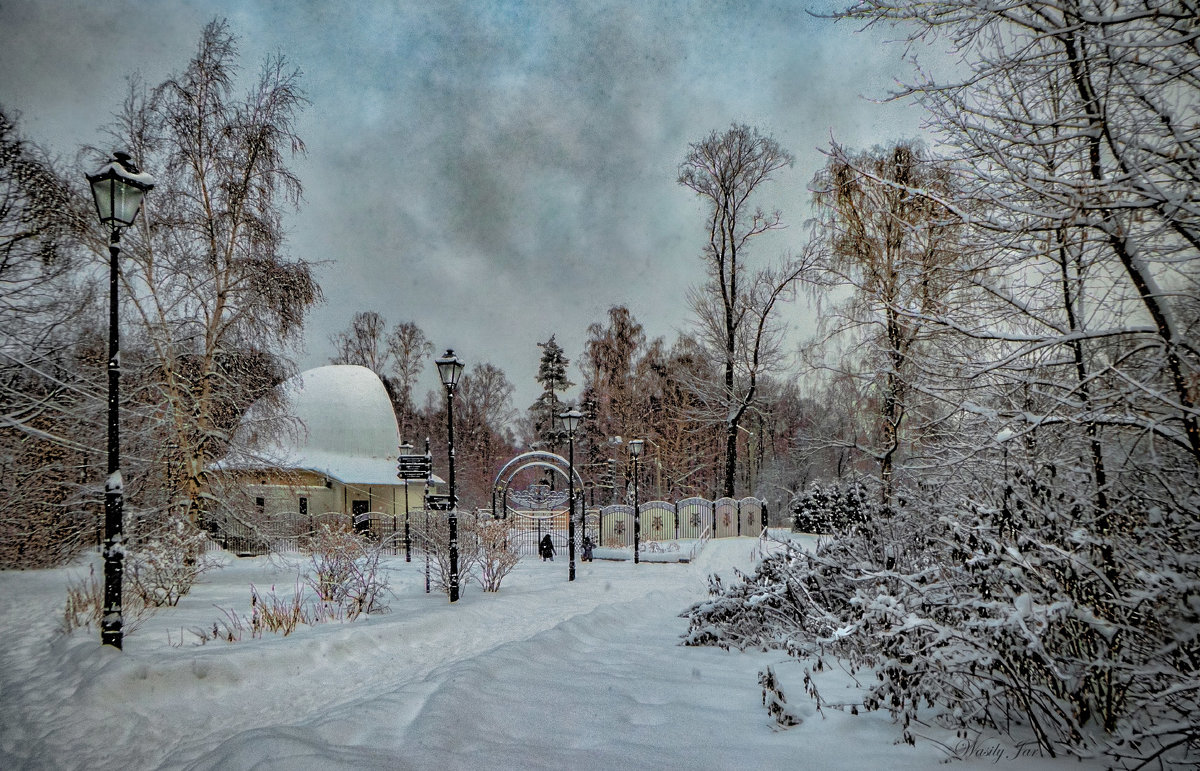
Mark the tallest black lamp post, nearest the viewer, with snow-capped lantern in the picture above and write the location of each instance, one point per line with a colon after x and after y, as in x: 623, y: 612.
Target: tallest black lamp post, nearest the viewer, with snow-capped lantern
x: 117, y: 190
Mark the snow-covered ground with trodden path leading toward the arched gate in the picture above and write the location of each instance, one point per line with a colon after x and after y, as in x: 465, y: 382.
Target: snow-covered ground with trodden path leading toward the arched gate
x: 544, y: 674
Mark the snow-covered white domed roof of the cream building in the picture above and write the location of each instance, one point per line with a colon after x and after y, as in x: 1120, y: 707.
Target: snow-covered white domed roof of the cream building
x: 347, y: 429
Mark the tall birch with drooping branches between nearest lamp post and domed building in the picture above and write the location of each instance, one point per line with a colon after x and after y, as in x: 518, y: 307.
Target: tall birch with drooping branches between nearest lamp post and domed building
x: 208, y: 280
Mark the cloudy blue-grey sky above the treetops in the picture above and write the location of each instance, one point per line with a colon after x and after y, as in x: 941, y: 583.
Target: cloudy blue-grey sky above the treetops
x: 495, y: 171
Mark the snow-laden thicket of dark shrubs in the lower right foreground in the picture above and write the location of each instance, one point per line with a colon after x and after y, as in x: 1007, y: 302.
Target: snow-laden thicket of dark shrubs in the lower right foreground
x: 1022, y: 609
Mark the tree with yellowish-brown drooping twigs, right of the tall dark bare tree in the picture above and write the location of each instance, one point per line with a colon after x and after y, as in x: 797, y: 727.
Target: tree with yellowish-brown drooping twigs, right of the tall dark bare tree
x: 881, y: 231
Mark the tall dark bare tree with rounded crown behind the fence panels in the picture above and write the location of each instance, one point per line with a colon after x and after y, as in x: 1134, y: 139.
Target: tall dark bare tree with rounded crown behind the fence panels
x: 734, y: 308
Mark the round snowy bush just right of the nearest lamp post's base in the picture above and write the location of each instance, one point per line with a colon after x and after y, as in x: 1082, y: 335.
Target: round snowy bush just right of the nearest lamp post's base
x: 164, y: 564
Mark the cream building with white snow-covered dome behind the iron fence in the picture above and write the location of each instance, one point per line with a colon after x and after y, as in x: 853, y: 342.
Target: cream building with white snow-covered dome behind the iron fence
x: 335, y: 455
